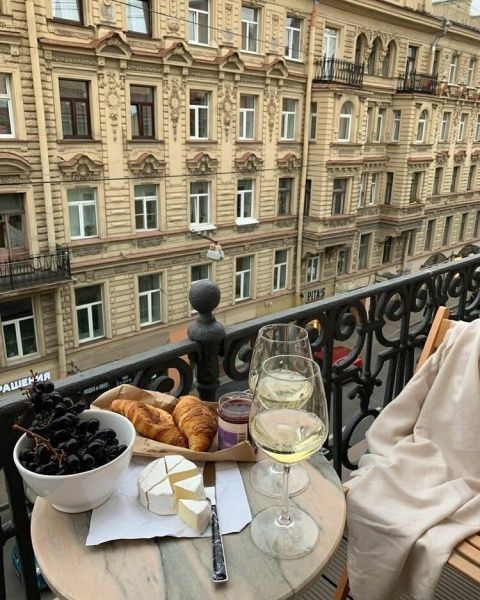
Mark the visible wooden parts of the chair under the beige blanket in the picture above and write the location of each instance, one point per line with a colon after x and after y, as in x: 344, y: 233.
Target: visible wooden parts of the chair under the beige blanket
x: 465, y: 557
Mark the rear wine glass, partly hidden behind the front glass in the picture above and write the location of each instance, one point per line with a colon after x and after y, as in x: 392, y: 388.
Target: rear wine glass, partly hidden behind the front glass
x: 266, y: 476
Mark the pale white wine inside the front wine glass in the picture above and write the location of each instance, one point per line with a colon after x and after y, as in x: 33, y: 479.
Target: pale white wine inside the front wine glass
x: 288, y: 435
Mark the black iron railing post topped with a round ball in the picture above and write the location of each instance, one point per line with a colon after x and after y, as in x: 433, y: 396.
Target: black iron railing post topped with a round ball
x: 209, y: 334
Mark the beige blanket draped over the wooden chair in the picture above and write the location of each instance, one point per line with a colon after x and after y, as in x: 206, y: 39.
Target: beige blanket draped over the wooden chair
x: 417, y: 493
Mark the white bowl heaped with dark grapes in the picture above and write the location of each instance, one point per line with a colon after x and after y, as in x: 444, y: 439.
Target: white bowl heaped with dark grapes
x: 71, y: 456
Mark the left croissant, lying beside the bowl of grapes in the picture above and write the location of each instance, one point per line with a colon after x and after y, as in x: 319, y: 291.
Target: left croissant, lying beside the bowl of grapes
x: 150, y: 421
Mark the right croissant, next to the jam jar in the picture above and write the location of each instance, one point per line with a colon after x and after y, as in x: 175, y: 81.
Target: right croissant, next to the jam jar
x: 196, y: 422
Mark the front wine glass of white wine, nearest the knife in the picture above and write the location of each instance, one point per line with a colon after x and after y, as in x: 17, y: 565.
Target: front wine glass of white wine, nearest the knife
x: 289, y: 422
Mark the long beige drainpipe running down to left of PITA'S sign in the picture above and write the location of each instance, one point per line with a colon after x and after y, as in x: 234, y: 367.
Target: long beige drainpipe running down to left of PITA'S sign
x: 306, y: 138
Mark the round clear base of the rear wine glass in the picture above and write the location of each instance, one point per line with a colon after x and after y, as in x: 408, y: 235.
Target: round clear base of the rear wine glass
x: 267, y: 479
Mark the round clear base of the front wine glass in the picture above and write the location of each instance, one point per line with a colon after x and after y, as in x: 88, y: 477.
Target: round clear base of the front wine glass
x: 284, y: 541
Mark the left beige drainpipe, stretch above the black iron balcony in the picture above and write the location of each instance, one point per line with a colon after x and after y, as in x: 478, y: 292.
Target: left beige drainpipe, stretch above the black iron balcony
x: 41, y: 122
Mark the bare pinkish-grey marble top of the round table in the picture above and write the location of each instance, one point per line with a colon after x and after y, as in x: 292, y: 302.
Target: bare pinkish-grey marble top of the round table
x: 180, y: 569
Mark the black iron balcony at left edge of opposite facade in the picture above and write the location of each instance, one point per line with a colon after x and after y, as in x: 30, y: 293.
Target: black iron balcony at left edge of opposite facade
x: 32, y: 271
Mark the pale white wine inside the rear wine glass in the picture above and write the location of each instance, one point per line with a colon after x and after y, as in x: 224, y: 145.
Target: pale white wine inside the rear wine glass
x: 282, y: 388
